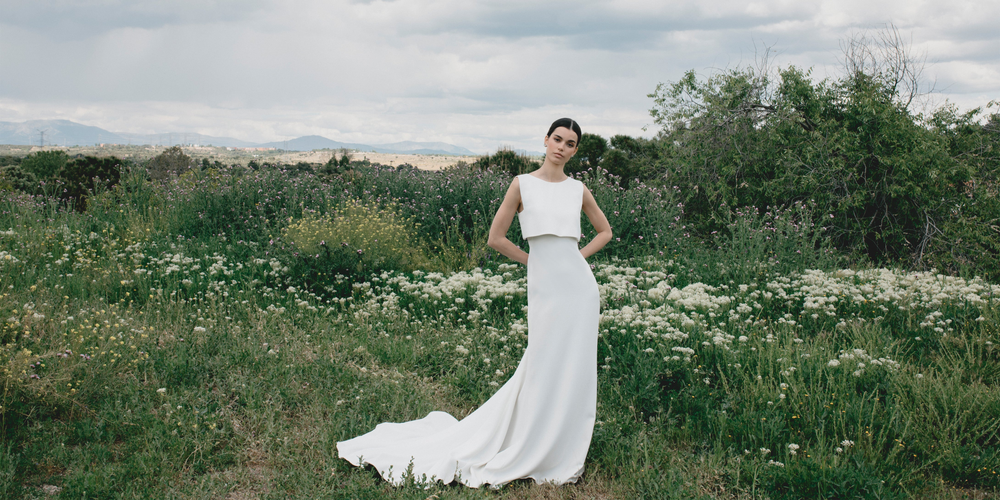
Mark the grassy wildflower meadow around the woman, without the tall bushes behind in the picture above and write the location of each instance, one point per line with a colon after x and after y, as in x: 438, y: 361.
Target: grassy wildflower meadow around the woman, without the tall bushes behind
x: 215, y: 335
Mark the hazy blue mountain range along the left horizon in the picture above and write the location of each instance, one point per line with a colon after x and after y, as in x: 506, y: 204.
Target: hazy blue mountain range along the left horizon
x: 68, y: 133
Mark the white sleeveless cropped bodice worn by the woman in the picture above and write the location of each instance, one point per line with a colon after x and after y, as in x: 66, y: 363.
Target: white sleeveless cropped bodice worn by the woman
x: 550, y: 207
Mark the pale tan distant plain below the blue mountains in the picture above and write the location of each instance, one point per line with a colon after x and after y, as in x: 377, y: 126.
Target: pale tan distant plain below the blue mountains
x: 425, y: 162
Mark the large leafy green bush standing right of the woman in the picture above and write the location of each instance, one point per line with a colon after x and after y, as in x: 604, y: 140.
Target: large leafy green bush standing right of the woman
x: 745, y: 137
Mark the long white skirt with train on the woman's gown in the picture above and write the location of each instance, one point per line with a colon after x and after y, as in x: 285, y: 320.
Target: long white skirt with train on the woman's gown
x: 539, y: 423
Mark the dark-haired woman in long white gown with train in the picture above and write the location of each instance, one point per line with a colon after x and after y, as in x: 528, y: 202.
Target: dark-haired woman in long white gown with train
x: 539, y: 424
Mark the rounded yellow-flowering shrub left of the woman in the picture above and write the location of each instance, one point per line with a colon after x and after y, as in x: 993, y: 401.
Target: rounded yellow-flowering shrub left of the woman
x: 352, y: 240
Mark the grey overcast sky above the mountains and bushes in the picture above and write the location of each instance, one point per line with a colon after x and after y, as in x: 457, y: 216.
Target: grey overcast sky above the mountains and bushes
x: 478, y: 74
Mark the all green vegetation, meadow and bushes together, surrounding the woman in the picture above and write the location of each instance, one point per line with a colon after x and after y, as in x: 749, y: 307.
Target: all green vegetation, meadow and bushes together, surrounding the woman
x: 771, y: 323
